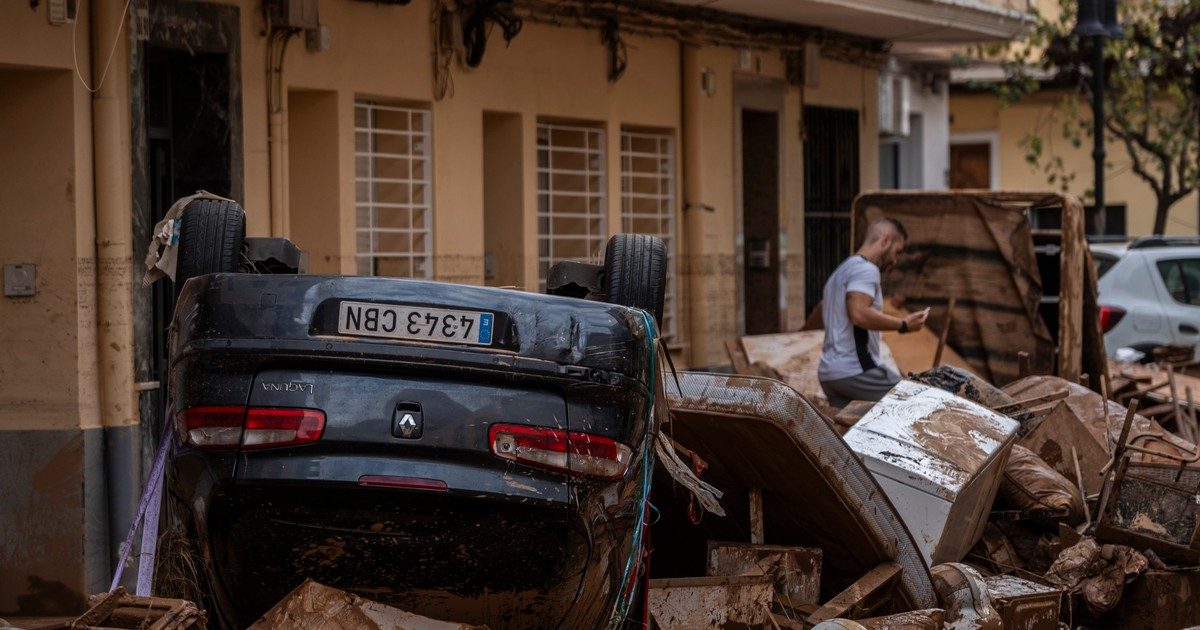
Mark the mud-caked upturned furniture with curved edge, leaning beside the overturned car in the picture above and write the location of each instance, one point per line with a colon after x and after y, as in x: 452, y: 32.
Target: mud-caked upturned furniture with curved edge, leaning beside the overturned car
x: 788, y: 481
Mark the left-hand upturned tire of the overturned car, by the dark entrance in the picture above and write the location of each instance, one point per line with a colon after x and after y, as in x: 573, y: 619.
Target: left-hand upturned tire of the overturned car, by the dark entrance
x: 211, y: 241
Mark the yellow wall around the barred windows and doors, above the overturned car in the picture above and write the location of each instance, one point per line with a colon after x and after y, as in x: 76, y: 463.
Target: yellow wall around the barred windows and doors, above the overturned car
x: 383, y: 53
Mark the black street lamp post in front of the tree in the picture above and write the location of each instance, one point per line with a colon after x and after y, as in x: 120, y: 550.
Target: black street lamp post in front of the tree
x: 1097, y: 20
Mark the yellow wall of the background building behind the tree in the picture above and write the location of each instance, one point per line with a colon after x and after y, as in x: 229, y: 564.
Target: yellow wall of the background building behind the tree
x: 980, y: 113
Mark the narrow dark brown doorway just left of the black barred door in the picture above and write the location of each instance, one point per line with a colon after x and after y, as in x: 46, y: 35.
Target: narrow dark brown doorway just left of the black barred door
x: 760, y: 220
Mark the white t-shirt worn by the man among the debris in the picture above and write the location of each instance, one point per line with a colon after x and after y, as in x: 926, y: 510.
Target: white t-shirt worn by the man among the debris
x: 849, y: 351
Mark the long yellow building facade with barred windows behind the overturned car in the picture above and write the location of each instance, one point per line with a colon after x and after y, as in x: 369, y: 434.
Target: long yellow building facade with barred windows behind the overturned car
x: 382, y: 142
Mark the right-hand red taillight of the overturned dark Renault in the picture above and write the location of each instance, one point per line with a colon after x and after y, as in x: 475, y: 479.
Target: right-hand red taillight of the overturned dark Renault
x: 569, y: 452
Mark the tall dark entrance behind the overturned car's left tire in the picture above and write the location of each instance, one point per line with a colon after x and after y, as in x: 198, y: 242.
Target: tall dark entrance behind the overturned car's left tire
x: 187, y: 137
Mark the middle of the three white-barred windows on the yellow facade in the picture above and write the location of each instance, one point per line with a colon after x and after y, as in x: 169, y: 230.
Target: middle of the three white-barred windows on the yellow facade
x: 572, y: 201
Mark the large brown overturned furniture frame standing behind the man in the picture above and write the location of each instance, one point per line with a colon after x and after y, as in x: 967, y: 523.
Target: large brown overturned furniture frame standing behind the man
x: 1016, y: 289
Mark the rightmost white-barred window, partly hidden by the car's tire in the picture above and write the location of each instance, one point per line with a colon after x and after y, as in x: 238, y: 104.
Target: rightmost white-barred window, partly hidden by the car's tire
x: 649, y: 203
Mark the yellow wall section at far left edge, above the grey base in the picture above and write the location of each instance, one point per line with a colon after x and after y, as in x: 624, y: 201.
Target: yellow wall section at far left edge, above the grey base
x: 47, y: 368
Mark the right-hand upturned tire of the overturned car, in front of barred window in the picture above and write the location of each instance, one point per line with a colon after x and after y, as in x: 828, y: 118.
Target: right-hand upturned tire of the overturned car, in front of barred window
x: 637, y: 273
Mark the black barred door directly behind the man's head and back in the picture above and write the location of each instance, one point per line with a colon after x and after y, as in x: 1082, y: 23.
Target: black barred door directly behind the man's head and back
x: 831, y: 184
